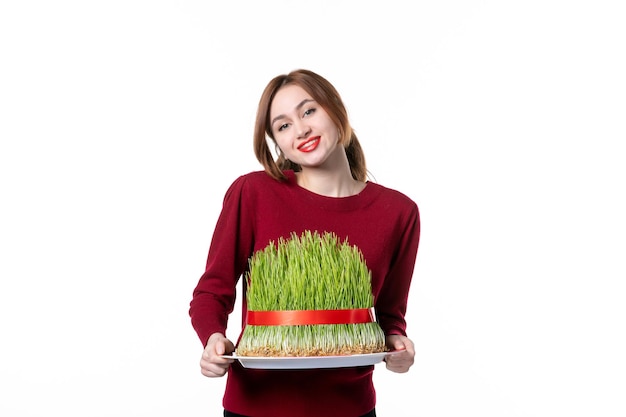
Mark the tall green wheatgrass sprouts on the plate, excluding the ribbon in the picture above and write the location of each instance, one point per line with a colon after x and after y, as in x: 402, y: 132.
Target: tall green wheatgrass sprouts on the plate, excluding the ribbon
x: 309, y: 272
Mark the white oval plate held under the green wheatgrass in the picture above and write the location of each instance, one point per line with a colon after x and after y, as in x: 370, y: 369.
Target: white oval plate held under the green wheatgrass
x: 310, y: 362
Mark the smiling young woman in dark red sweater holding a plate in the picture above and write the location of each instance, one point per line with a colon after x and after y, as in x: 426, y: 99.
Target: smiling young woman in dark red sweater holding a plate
x: 319, y: 183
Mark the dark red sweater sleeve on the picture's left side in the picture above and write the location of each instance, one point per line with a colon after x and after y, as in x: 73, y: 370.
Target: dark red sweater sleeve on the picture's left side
x: 214, y: 296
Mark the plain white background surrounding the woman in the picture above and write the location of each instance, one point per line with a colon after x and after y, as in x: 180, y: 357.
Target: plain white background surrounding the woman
x: 123, y: 122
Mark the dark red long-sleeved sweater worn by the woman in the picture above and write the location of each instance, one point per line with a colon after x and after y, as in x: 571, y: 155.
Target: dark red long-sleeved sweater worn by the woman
x: 384, y: 224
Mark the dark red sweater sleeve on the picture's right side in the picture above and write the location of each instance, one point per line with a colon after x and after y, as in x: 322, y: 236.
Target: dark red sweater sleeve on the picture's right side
x: 391, y: 303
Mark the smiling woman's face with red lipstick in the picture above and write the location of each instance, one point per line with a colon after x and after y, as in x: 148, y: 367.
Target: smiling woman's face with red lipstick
x: 301, y: 127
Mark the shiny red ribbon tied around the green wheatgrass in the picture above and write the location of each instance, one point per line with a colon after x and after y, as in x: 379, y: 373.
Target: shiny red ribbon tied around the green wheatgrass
x: 305, y: 317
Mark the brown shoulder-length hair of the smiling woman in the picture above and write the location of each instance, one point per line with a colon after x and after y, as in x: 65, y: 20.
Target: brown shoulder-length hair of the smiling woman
x: 326, y: 96
